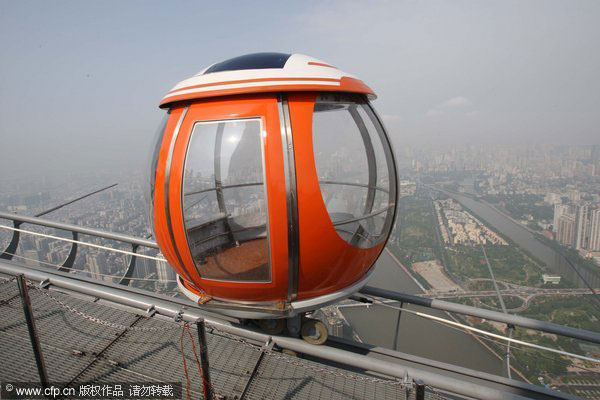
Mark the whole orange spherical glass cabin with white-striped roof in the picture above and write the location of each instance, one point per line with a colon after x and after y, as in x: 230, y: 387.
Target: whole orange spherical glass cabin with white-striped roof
x: 273, y: 184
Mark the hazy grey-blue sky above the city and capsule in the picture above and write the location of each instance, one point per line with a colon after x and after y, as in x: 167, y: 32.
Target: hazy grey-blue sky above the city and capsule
x: 80, y: 81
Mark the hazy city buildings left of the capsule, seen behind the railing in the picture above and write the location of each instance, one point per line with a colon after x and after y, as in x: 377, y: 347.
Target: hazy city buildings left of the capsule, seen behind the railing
x: 119, y: 209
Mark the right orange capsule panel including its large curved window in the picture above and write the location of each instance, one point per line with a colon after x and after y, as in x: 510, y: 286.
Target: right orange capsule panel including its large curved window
x: 346, y: 190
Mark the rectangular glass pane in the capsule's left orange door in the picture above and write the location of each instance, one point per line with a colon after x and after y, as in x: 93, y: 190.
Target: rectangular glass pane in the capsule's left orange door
x: 224, y: 201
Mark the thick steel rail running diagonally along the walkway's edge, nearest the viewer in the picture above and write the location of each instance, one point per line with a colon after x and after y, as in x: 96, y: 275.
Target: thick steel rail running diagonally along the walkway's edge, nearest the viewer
x: 189, y: 311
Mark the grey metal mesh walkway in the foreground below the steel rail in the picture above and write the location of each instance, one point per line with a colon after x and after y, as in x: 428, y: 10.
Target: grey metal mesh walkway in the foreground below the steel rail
x: 79, y: 350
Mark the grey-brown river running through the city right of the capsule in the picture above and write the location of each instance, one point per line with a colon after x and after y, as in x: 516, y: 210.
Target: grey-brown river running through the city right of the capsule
x: 417, y: 336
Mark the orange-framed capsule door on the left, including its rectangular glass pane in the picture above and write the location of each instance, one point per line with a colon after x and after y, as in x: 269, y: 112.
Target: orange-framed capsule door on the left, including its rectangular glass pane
x: 224, y: 180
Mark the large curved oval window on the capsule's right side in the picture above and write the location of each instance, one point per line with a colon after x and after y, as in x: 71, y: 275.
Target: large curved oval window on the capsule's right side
x: 355, y: 169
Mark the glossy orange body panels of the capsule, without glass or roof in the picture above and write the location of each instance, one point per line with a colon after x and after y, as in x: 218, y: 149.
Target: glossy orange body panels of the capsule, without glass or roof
x: 327, y: 263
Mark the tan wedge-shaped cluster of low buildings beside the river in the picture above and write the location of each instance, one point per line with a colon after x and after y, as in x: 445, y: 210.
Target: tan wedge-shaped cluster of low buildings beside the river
x: 458, y: 226
